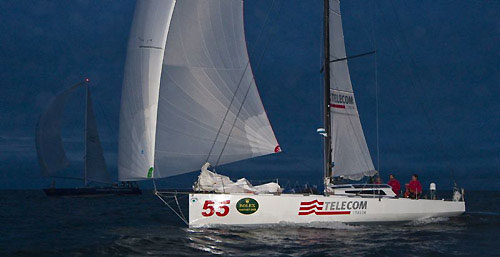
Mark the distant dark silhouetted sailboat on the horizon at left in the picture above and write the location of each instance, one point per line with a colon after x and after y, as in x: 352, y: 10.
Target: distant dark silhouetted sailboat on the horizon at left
x: 52, y: 156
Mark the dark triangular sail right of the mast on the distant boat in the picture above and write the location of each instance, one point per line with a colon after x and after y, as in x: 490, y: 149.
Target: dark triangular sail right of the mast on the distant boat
x: 94, y: 158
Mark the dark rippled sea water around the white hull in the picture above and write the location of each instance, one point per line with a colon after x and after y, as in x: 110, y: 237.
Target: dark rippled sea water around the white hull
x: 32, y: 224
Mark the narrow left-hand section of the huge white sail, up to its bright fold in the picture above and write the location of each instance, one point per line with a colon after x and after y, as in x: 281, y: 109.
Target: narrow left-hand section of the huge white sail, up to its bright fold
x: 139, y: 102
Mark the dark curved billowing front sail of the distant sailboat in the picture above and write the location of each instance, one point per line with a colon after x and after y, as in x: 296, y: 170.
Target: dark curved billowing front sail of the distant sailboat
x: 49, y: 147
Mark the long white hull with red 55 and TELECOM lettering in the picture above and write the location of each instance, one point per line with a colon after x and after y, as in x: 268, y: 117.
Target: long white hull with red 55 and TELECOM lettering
x: 222, y: 209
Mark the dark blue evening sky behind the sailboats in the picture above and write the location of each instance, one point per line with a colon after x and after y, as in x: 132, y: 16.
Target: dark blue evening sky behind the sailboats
x: 437, y: 67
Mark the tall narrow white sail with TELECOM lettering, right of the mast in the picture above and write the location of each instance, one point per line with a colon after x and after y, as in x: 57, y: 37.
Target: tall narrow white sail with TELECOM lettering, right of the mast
x: 351, y: 157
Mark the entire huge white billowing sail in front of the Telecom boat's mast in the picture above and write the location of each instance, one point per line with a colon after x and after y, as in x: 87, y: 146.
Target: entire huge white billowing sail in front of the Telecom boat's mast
x: 203, y: 103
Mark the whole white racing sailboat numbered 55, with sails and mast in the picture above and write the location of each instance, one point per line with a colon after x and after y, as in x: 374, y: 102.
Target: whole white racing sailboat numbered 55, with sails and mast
x: 189, y: 100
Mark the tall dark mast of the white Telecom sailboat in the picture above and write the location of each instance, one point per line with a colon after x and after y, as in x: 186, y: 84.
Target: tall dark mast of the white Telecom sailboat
x: 326, y: 103
